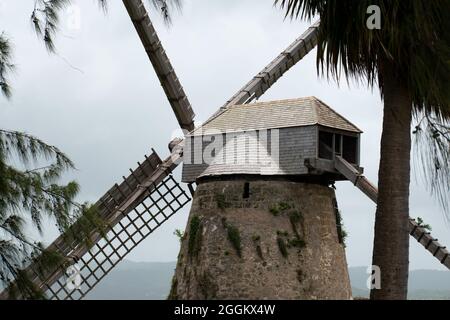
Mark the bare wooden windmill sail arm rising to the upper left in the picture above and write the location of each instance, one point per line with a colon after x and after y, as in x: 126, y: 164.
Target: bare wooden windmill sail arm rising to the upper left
x: 161, y: 63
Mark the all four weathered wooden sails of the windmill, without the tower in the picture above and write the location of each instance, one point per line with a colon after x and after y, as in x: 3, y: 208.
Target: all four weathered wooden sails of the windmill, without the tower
x: 150, y: 195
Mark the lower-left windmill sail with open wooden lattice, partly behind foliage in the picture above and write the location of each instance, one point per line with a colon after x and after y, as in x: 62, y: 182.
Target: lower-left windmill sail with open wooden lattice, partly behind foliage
x: 147, y: 198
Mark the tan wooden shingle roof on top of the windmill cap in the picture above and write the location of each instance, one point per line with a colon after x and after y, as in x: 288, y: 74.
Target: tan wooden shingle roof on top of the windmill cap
x: 276, y: 114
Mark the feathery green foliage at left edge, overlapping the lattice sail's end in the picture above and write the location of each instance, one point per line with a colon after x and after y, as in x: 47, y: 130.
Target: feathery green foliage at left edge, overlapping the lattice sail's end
x: 29, y: 195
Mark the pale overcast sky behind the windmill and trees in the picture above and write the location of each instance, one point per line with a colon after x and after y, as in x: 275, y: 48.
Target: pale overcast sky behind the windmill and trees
x: 111, y: 111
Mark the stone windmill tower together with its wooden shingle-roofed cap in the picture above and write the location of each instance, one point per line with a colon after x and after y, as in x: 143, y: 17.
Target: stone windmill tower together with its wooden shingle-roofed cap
x: 263, y: 224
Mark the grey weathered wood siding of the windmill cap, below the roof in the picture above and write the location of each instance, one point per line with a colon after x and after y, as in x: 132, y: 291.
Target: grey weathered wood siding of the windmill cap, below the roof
x: 250, y: 153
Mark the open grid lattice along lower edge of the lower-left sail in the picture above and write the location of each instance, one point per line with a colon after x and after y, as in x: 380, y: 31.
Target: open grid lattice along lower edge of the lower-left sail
x: 161, y: 204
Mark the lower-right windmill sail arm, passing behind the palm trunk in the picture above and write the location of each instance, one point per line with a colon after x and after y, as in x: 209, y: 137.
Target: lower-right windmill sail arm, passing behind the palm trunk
x: 418, y: 232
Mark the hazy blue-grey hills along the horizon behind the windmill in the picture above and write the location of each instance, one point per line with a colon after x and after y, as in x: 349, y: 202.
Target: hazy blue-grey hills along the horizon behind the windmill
x: 151, y: 281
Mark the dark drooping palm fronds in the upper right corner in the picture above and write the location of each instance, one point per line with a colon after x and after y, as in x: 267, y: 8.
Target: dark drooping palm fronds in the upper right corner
x: 414, y: 35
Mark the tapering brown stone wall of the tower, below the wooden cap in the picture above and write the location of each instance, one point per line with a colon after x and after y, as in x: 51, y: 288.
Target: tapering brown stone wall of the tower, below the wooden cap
x: 279, y: 243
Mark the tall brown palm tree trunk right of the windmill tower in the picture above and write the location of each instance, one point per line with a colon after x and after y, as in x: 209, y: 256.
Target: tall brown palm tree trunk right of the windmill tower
x: 391, y: 243
